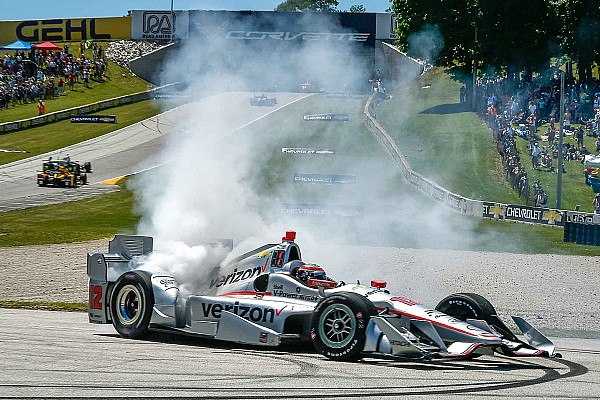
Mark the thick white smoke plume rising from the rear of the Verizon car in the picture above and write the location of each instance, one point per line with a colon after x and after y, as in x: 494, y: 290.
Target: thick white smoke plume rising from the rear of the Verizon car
x: 204, y: 190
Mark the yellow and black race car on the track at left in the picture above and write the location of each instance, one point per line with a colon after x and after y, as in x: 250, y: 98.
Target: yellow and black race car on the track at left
x: 63, y: 173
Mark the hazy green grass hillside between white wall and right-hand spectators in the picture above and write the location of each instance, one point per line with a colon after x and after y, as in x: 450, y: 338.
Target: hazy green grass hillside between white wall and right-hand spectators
x: 444, y: 141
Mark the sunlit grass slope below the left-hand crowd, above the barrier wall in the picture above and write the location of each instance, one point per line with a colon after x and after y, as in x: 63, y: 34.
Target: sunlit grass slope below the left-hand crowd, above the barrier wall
x: 120, y: 82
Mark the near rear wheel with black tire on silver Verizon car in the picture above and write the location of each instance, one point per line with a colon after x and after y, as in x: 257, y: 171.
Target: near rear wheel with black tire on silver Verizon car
x: 131, y: 304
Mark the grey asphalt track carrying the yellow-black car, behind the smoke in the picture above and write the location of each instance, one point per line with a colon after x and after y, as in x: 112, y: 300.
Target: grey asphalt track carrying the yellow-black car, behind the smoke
x: 125, y: 151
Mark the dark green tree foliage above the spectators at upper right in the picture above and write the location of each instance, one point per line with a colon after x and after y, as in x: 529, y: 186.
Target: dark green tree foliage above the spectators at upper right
x: 505, y: 37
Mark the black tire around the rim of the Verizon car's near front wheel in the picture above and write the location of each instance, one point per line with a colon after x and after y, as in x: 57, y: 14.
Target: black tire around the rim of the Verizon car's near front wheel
x: 360, y: 315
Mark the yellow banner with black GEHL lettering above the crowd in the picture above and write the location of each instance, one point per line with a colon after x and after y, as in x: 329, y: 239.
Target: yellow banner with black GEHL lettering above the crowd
x: 65, y: 30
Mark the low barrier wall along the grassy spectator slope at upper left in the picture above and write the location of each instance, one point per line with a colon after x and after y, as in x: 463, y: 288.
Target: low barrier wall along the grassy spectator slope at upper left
x: 8, y: 127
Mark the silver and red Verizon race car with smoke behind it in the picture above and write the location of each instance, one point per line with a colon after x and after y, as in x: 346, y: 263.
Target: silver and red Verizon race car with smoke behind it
x: 269, y: 296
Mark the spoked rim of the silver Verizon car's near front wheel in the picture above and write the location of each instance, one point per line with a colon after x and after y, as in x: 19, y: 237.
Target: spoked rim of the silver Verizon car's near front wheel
x: 337, y: 325
